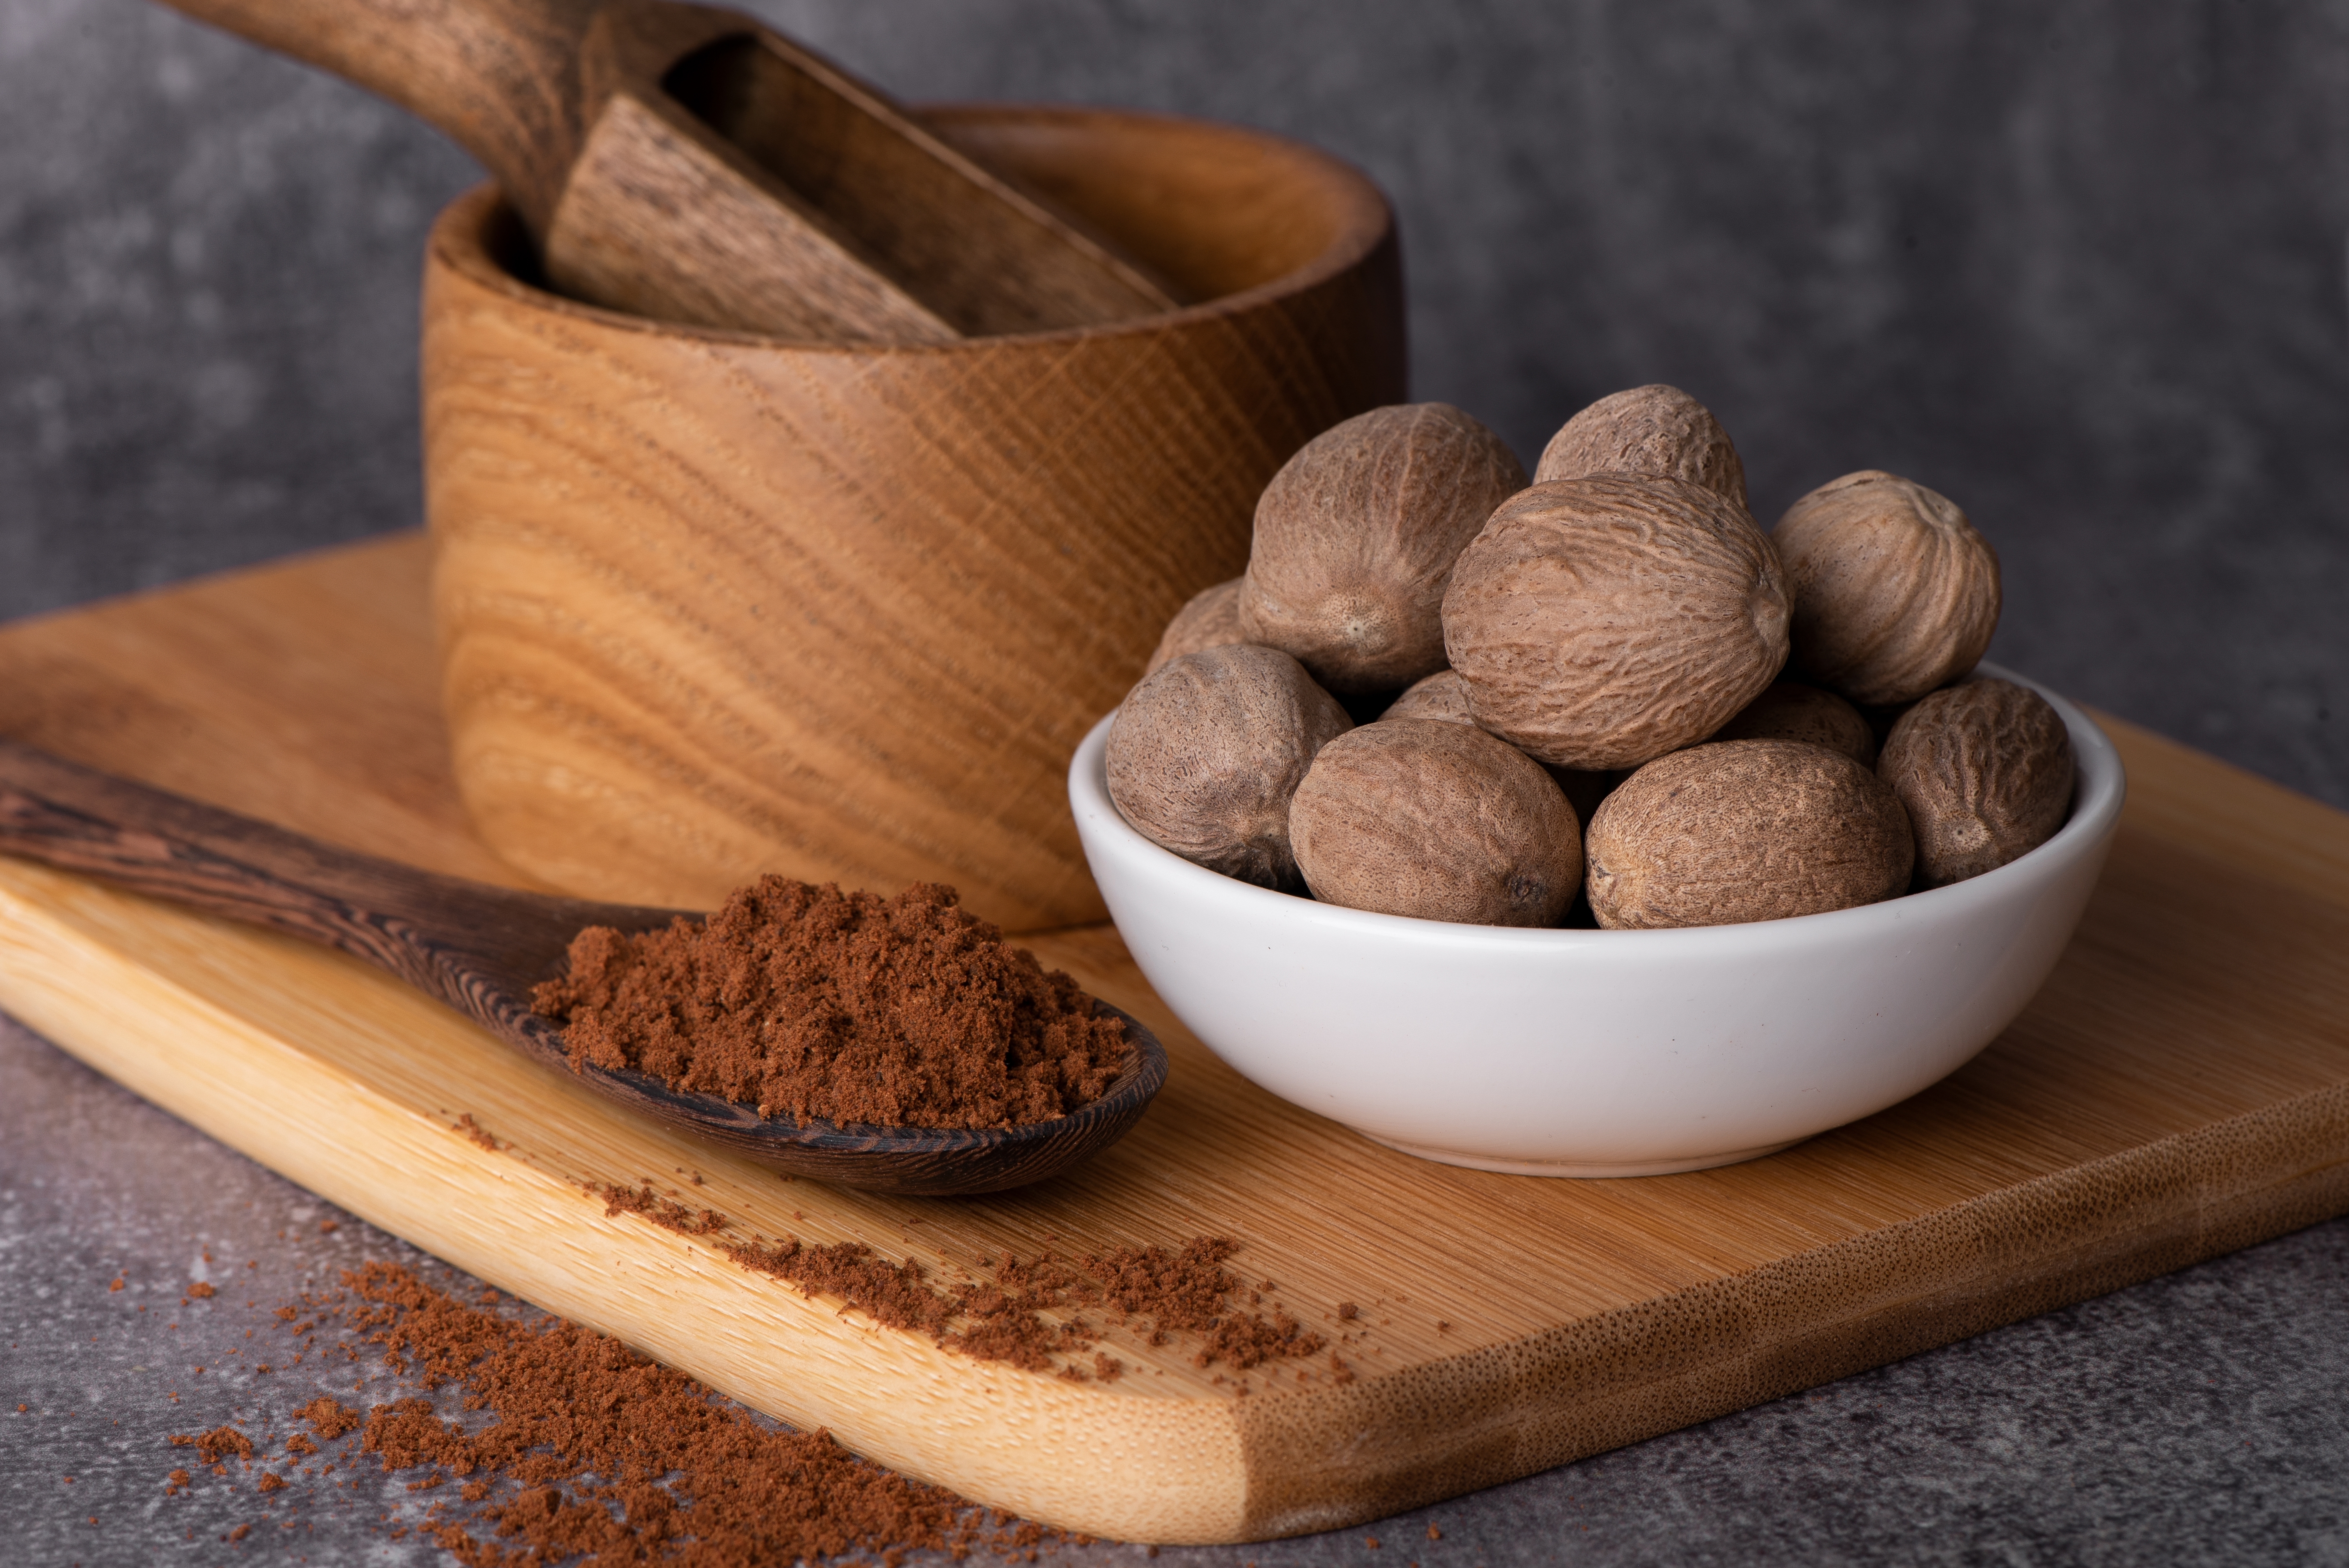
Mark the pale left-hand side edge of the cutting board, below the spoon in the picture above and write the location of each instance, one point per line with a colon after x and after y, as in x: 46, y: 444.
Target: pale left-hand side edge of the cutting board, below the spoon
x: 161, y: 1000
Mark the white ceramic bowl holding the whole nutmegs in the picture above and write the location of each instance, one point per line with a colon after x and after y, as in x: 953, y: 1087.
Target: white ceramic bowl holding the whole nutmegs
x: 1598, y: 1052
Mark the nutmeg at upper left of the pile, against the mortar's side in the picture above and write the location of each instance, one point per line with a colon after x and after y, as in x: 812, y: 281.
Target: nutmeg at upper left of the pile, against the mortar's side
x: 1357, y: 540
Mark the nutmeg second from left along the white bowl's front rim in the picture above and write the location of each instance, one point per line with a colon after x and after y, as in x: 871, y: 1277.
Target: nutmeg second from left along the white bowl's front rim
x: 1439, y: 822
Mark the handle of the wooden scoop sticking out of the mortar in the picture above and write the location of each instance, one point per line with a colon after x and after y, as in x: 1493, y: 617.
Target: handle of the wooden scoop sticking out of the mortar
x: 499, y: 76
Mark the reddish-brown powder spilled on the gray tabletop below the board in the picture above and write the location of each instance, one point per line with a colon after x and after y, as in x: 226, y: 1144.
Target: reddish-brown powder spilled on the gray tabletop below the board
x: 544, y: 1442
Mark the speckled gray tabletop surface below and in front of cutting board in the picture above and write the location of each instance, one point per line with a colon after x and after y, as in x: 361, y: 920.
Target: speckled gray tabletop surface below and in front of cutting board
x: 2200, y: 1419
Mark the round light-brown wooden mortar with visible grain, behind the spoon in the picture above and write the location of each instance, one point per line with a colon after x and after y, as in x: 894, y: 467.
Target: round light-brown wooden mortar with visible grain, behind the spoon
x: 715, y: 605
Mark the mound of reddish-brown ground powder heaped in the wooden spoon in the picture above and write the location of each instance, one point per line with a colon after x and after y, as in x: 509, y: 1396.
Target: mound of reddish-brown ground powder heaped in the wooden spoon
x: 840, y: 1007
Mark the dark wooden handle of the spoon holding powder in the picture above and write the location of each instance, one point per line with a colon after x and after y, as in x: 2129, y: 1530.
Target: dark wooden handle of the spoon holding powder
x: 469, y: 944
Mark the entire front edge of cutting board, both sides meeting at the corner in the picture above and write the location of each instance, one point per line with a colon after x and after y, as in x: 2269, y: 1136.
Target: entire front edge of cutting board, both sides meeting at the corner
x: 90, y: 970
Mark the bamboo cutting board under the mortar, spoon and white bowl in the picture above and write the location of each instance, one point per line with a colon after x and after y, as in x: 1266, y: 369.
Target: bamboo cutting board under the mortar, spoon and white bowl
x: 2179, y: 1090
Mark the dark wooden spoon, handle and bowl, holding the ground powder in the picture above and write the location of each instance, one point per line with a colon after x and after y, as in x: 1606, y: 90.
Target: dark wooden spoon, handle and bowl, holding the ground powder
x: 483, y: 949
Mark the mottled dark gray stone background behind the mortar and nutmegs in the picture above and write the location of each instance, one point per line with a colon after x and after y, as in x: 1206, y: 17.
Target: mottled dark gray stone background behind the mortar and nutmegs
x: 2078, y: 267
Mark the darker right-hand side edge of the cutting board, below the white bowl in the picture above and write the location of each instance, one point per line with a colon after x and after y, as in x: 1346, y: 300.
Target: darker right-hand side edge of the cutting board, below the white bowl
x: 1796, y: 1325
